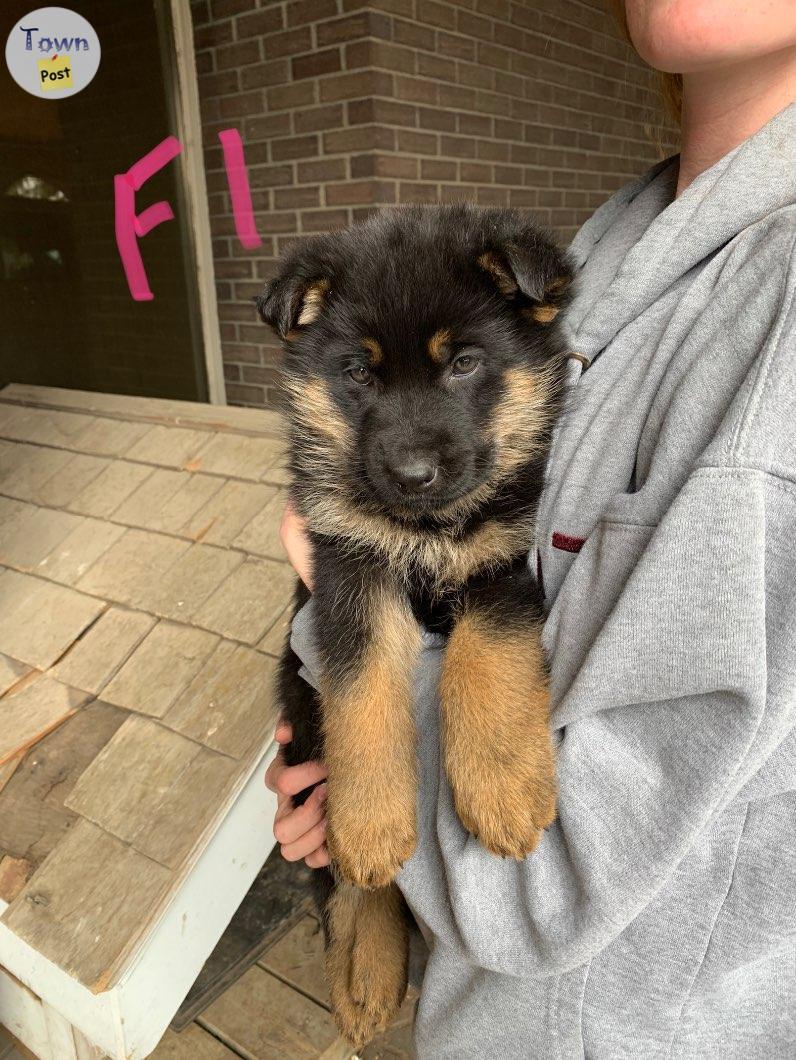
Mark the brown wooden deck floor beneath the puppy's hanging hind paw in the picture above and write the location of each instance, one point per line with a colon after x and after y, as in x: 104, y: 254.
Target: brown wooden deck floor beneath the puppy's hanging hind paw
x: 279, y: 1011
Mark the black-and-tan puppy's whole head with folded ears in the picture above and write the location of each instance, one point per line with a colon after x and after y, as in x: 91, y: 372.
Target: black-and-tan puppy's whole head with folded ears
x: 421, y: 356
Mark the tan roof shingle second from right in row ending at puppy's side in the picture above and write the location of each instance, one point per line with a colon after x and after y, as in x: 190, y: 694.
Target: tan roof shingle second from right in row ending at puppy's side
x: 161, y: 668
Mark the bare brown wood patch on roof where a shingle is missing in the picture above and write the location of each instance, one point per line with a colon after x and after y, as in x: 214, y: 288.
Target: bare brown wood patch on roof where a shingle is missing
x: 33, y: 818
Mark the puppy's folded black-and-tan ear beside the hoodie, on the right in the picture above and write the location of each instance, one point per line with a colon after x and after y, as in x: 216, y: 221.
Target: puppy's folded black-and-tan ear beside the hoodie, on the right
x: 528, y: 270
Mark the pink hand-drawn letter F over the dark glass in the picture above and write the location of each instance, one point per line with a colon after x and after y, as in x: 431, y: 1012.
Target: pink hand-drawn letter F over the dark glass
x: 130, y: 226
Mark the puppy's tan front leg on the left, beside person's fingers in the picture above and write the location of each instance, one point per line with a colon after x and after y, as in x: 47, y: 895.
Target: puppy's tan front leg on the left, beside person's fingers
x: 370, y: 644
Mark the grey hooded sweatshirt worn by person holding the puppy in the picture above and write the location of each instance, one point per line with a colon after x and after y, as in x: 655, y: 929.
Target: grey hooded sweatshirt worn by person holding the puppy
x: 658, y: 917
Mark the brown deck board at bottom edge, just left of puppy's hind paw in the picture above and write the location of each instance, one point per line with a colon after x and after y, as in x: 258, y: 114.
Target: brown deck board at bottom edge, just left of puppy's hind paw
x: 266, y: 1019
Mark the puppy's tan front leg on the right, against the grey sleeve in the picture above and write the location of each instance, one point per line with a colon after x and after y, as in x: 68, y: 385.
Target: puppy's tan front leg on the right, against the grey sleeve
x: 496, y: 716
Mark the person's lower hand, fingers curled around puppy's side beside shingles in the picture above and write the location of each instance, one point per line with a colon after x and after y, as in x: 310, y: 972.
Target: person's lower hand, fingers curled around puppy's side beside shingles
x: 300, y: 831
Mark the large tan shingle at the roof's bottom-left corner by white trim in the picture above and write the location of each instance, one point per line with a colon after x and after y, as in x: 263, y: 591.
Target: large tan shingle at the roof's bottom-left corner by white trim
x: 89, y: 904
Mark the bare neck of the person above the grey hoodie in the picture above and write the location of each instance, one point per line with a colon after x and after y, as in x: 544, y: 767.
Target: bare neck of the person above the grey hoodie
x: 722, y: 108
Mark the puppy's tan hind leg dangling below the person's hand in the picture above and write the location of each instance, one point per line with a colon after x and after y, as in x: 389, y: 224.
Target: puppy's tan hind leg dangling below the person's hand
x: 367, y: 940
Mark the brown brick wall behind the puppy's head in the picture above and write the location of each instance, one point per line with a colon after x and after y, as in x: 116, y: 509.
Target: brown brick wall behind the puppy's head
x: 345, y: 108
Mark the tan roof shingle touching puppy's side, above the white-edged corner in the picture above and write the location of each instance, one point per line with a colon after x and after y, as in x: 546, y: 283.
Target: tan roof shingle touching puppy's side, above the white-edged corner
x: 231, y: 705
